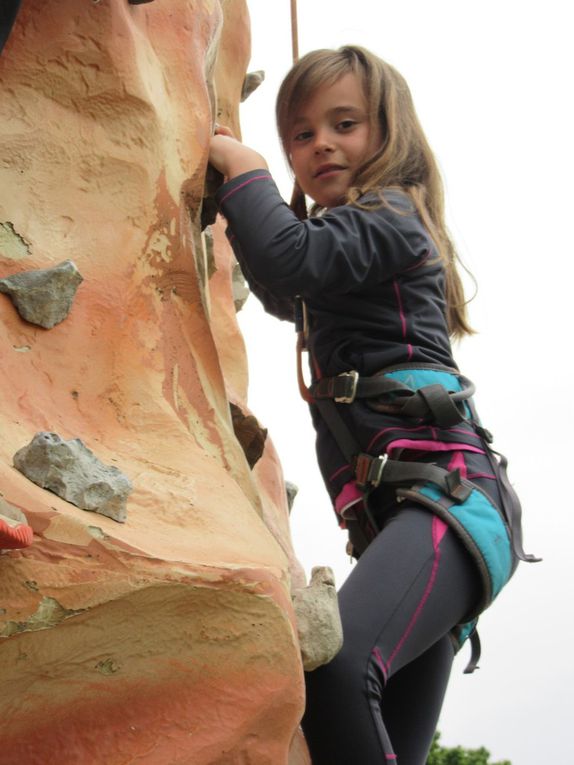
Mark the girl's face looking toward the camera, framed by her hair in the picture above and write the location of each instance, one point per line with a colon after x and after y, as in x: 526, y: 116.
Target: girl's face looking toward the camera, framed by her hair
x: 330, y: 138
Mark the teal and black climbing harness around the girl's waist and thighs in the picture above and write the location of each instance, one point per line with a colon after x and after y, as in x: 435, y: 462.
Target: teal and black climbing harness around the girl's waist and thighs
x: 422, y: 394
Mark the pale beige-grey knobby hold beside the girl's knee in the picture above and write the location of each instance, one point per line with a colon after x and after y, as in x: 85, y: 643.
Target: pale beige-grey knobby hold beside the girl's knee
x: 318, y: 620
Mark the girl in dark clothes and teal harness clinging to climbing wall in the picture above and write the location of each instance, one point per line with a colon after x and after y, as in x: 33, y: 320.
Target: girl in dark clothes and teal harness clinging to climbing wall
x: 371, y: 279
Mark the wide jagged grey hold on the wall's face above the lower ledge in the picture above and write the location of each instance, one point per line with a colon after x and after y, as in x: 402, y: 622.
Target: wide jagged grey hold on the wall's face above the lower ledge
x: 73, y: 472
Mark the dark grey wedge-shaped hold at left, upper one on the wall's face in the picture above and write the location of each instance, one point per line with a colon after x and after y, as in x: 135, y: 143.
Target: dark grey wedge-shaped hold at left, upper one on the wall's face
x: 45, y: 296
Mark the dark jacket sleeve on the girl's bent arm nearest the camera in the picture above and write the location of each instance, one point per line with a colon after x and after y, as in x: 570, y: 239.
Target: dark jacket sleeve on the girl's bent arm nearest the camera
x: 336, y: 253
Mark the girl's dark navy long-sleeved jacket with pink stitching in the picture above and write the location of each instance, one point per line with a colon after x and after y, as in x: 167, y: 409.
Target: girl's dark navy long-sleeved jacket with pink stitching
x: 373, y: 286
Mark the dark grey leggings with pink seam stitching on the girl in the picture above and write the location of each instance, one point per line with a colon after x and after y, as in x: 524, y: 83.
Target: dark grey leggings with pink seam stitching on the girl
x: 379, y: 700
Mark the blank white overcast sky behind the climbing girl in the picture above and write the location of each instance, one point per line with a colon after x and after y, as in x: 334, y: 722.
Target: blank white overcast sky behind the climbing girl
x: 492, y: 85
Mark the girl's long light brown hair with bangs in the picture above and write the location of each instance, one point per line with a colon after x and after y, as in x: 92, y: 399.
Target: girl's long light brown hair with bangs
x: 404, y: 160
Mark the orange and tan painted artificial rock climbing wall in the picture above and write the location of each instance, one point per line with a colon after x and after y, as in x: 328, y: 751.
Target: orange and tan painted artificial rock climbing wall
x: 169, y: 638
